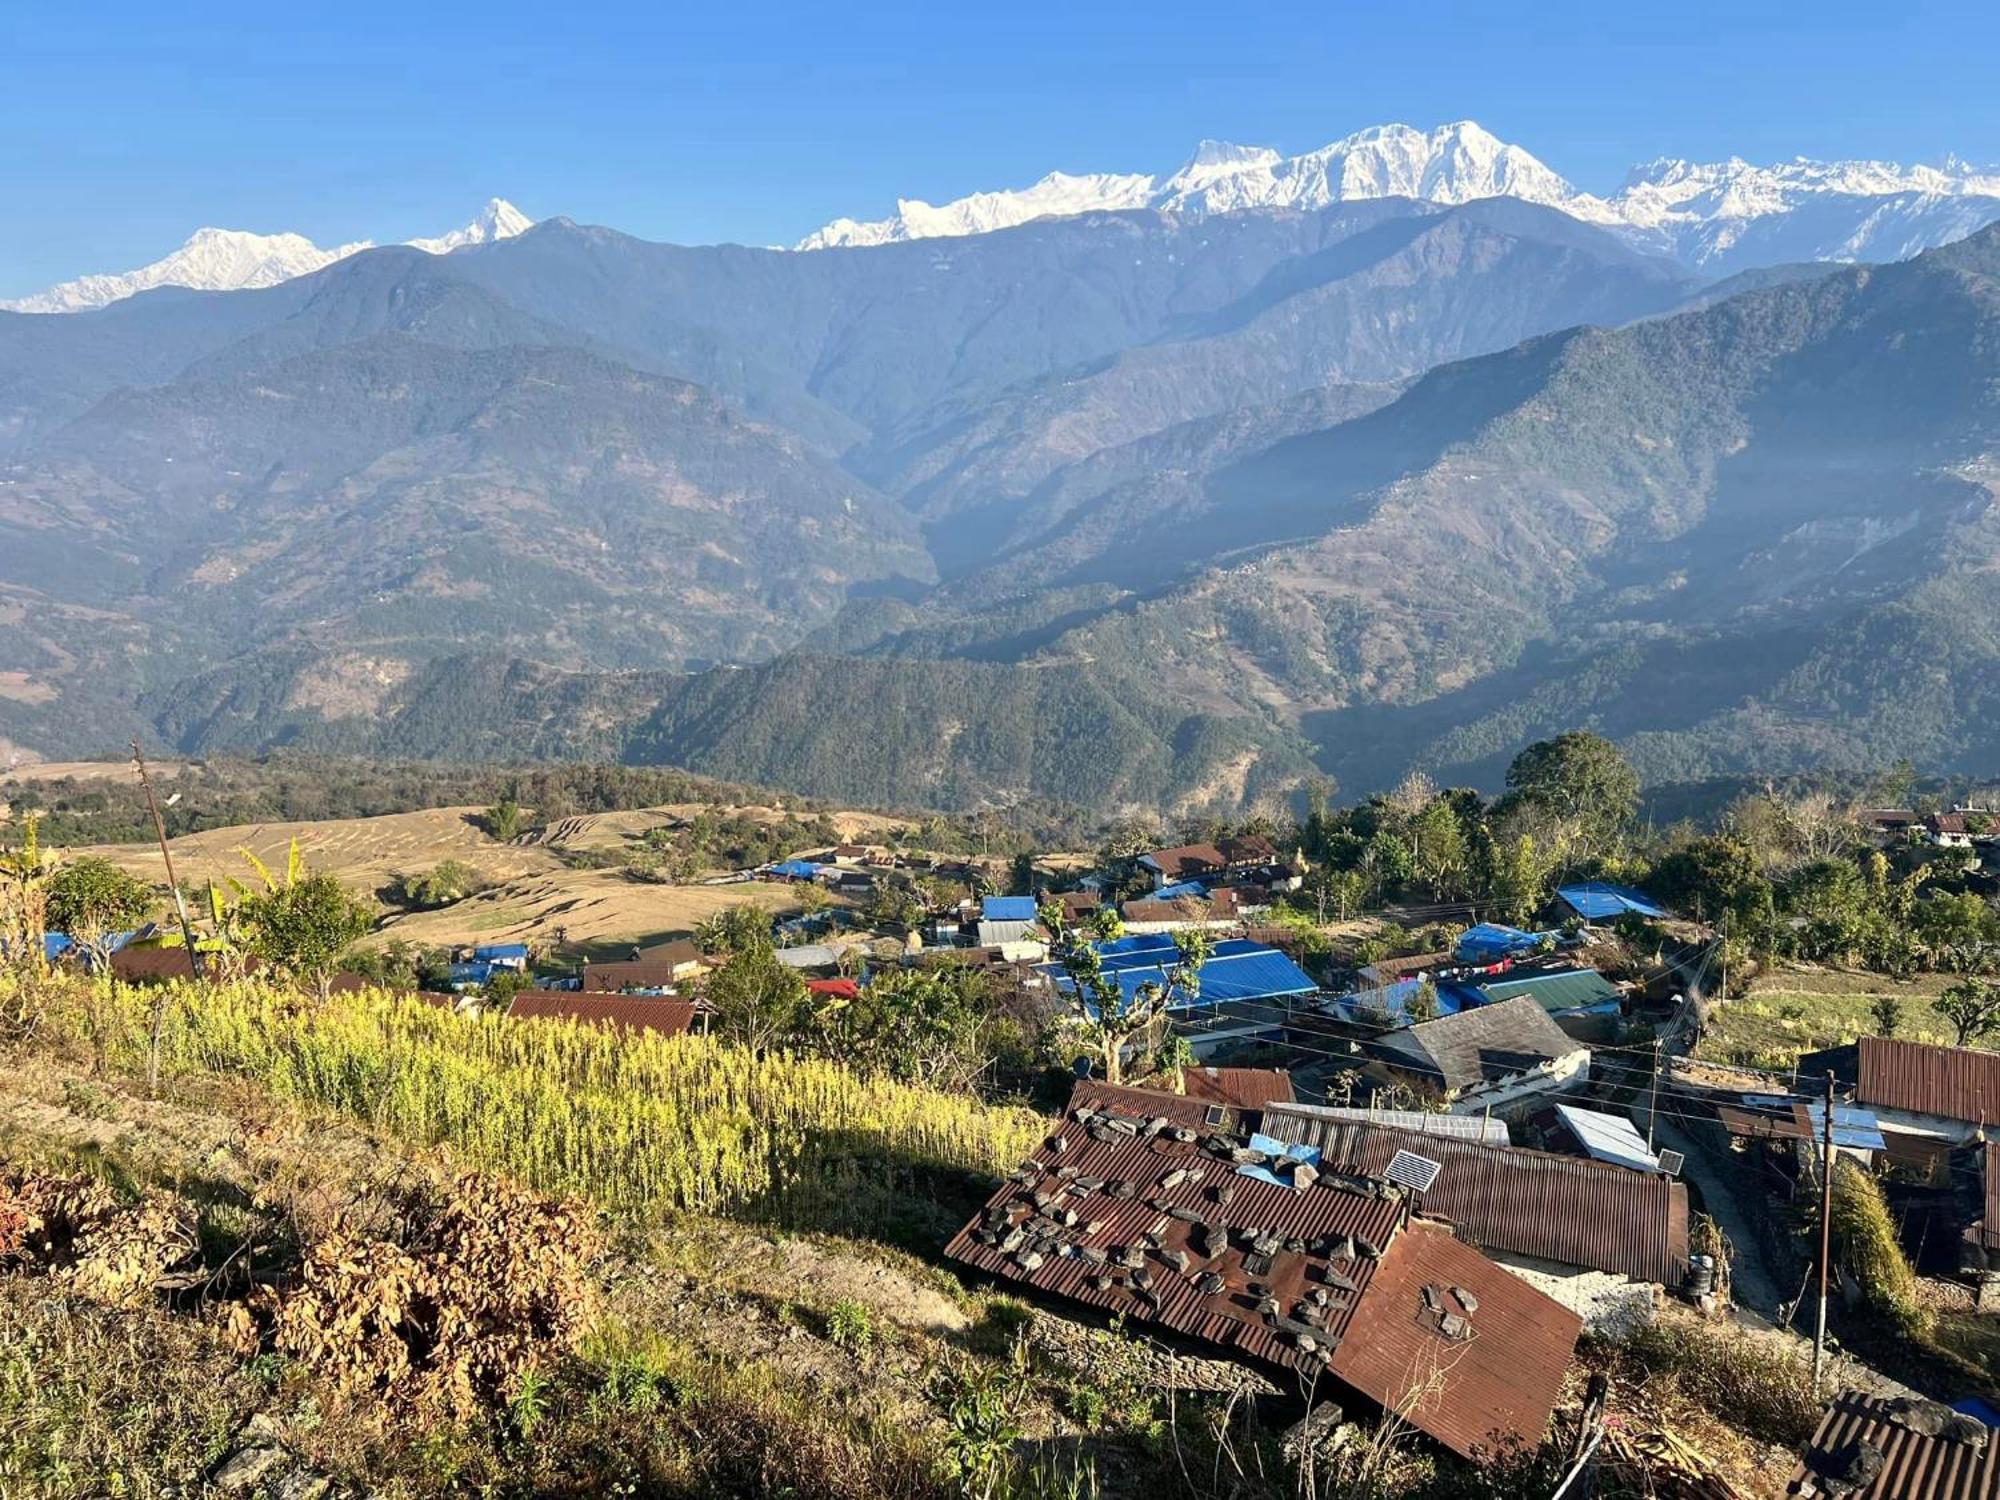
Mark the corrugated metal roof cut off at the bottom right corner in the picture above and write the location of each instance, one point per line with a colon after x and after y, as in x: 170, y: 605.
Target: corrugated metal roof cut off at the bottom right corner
x: 1913, y: 1467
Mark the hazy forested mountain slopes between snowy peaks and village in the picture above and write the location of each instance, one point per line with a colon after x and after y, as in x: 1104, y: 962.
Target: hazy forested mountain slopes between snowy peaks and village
x: 1127, y: 511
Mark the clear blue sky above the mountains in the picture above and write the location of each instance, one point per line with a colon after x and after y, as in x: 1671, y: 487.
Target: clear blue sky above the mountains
x: 127, y: 127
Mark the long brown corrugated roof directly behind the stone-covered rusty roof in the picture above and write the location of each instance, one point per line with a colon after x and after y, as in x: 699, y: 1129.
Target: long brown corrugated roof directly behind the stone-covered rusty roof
x: 1531, y: 1203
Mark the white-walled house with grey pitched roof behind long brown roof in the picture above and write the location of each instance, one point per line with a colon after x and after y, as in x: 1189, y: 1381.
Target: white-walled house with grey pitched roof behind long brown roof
x: 1483, y: 1059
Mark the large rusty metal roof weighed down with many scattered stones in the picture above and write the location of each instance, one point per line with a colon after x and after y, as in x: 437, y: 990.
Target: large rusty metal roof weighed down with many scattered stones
x: 1245, y: 1245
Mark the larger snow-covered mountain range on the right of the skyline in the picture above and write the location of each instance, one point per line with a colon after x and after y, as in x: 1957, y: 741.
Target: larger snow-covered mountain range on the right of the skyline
x: 1707, y: 215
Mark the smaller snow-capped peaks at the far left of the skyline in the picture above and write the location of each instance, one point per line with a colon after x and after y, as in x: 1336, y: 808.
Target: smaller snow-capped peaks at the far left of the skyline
x: 225, y: 261
